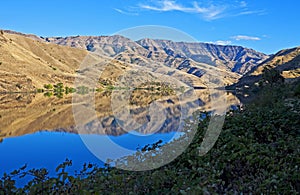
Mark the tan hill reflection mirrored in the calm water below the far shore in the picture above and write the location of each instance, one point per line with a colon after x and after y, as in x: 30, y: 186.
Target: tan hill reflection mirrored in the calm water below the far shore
x: 22, y: 114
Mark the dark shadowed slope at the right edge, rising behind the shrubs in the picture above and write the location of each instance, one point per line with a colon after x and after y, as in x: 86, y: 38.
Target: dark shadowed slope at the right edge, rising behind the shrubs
x: 286, y: 61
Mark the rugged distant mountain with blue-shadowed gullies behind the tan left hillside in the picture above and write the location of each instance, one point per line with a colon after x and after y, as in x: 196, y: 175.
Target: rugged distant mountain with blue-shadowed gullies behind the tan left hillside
x: 200, y: 60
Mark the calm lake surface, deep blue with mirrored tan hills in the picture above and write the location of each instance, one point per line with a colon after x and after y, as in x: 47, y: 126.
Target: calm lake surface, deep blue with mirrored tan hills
x: 24, y: 117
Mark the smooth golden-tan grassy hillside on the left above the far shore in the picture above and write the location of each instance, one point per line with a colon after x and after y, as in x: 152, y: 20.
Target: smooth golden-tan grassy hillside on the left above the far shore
x: 26, y: 64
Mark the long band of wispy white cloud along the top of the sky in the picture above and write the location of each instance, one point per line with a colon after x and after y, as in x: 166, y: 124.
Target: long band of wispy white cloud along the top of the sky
x: 211, y: 10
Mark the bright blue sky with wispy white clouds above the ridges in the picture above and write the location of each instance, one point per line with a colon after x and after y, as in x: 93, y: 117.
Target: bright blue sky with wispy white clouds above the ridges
x: 266, y: 26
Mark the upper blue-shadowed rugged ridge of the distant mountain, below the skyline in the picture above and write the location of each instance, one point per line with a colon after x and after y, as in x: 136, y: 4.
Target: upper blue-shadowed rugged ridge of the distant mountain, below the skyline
x: 234, y: 58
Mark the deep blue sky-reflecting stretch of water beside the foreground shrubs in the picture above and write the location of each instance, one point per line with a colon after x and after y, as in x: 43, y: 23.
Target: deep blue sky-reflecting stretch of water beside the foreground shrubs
x: 48, y: 149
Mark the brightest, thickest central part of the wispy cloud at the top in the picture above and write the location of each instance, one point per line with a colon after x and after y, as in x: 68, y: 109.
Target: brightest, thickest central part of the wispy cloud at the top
x: 209, y: 12
